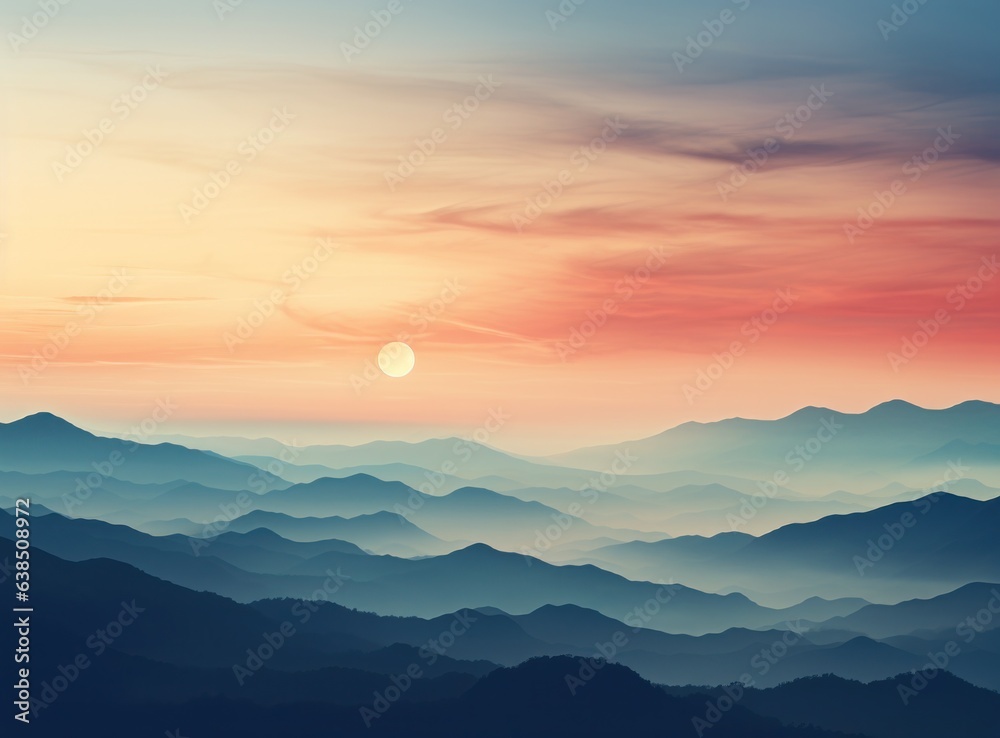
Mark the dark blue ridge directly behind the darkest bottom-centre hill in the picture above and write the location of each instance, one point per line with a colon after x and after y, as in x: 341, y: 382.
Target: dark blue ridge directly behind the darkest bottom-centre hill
x: 667, y: 658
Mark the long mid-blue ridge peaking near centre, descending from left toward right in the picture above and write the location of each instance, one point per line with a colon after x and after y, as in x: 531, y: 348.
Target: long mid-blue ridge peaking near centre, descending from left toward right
x: 471, y: 577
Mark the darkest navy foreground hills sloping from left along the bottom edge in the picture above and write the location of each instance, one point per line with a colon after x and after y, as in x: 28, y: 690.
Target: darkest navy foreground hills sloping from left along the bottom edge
x: 172, y: 663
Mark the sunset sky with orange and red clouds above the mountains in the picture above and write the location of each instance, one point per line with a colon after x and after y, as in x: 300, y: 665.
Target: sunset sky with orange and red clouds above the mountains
x: 601, y: 219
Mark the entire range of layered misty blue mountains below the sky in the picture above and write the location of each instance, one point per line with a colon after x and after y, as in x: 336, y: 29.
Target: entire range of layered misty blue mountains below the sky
x: 518, y: 596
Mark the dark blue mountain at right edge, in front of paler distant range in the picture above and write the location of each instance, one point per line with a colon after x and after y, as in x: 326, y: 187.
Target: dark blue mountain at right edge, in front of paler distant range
x: 898, y: 551
